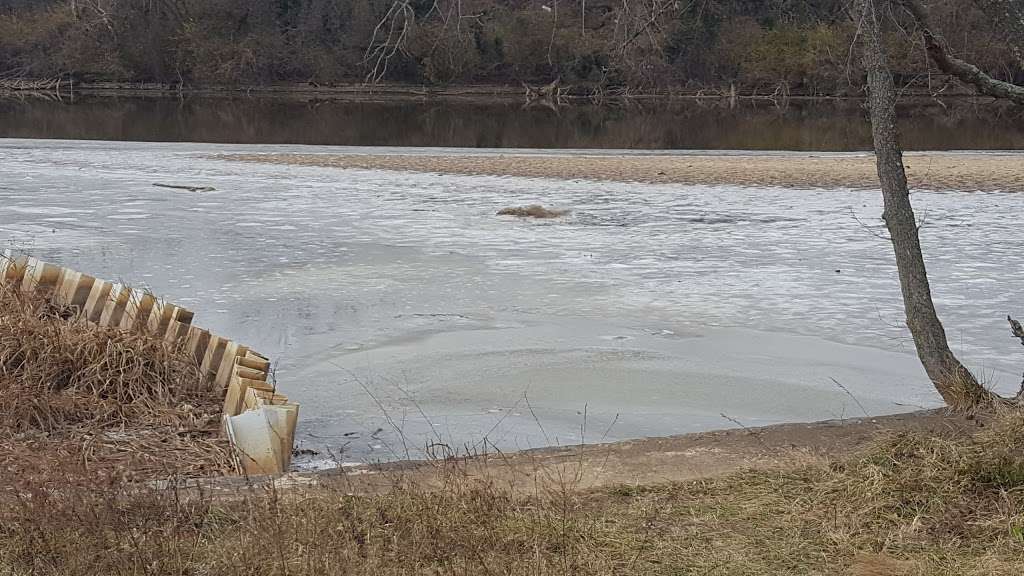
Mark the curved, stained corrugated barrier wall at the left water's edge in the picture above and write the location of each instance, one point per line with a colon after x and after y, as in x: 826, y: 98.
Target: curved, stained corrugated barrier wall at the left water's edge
x: 259, y: 421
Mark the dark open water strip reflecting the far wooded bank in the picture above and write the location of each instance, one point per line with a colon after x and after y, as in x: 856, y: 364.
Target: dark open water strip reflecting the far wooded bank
x: 802, y: 127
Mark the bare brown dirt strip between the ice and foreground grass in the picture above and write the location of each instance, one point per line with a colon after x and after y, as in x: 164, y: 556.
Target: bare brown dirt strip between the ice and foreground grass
x: 641, y: 463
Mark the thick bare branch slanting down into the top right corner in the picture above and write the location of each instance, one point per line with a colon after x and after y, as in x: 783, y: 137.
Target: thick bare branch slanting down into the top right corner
x: 967, y: 72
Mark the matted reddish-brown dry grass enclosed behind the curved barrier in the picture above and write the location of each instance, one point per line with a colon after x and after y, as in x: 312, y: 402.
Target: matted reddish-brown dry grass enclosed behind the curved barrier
x: 78, y: 399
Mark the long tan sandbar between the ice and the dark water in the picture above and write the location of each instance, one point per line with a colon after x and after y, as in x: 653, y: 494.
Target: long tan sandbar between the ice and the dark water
x: 926, y: 171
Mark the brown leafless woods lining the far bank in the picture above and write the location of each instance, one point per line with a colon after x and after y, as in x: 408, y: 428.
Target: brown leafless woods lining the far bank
x: 641, y: 45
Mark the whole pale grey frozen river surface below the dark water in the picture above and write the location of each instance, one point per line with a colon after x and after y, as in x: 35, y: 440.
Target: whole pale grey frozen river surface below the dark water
x: 398, y: 302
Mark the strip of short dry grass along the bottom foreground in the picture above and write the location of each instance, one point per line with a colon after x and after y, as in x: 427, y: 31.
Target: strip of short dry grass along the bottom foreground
x: 912, y: 505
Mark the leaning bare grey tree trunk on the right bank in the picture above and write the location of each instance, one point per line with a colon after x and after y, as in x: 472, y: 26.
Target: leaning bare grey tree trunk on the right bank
x: 955, y: 383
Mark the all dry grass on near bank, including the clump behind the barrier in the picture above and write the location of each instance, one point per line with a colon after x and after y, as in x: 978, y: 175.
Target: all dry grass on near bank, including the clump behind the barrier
x: 87, y: 412
